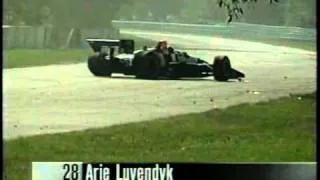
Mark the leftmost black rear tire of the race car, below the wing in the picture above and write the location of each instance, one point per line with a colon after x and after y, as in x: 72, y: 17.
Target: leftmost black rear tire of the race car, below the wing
x: 98, y: 66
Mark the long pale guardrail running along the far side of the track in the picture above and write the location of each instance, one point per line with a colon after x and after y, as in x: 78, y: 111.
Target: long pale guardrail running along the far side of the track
x: 224, y: 30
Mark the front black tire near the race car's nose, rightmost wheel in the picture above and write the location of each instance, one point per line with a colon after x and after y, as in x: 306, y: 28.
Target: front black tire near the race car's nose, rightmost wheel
x: 221, y: 68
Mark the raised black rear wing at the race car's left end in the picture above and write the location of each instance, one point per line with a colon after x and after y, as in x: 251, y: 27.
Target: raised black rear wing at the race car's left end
x: 124, y: 45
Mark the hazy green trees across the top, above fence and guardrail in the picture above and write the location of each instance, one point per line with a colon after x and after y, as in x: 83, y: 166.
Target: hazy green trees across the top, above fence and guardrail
x: 99, y: 13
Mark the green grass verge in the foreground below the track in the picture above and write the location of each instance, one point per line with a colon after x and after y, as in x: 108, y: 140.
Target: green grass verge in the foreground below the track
x: 279, y: 130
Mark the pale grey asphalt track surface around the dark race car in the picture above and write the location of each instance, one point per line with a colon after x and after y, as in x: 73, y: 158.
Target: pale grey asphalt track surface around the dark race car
x: 60, y: 98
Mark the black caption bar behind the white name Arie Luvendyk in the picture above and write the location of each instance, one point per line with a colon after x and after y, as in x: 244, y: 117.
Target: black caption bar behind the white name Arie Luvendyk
x: 225, y: 171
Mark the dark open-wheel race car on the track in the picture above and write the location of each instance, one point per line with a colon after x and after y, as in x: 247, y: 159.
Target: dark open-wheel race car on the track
x: 119, y: 56
